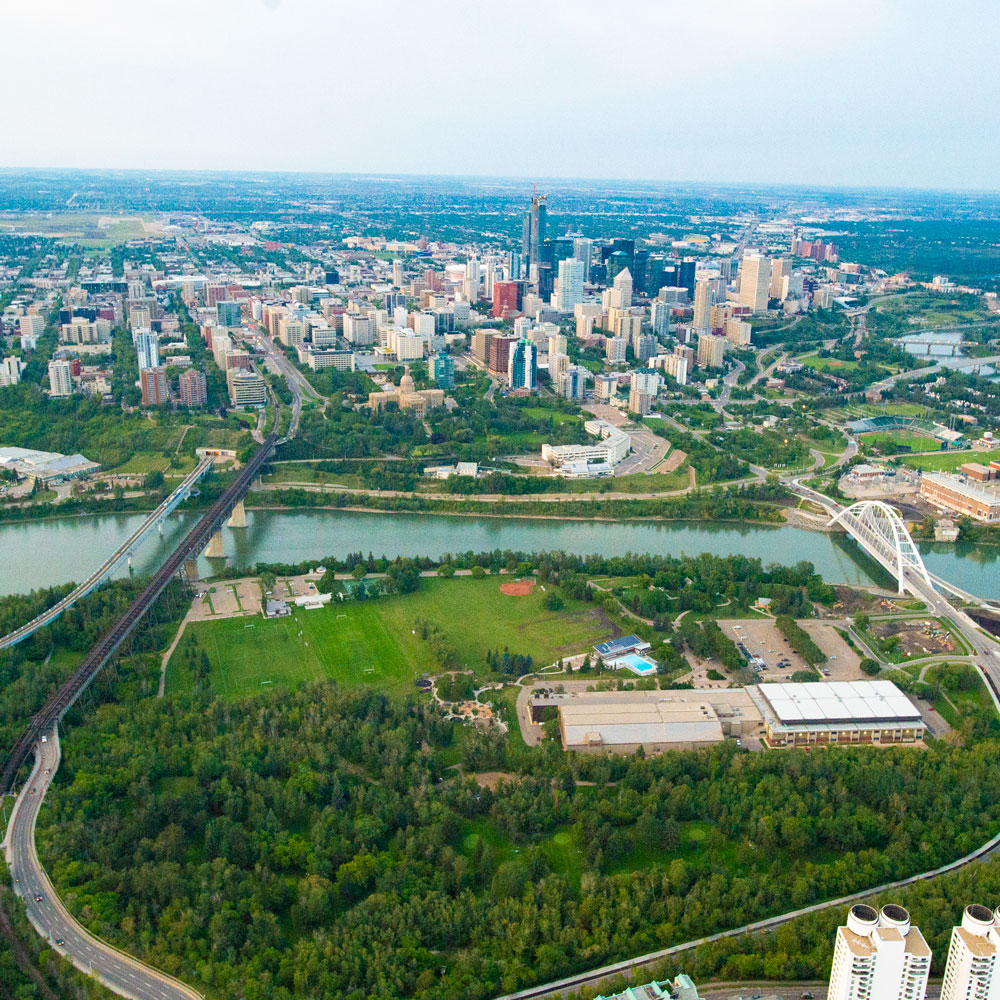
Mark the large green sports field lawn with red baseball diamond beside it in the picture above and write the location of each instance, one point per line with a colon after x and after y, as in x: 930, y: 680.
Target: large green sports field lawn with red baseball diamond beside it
x: 374, y: 643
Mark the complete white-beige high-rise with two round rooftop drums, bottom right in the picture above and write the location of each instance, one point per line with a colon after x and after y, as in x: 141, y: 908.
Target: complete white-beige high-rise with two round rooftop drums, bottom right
x: 879, y: 955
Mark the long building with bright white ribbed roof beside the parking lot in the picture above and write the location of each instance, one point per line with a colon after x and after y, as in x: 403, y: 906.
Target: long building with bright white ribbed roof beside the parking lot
x: 837, y: 712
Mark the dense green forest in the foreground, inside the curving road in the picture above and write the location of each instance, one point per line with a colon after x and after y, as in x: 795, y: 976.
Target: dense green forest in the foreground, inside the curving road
x: 255, y: 847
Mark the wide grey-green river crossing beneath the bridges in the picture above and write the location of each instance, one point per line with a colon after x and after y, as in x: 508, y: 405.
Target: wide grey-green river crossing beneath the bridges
x: 44, y: 553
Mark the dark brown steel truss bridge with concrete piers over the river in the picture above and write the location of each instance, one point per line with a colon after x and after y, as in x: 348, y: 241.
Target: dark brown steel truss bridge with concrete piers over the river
x: 193, y: 543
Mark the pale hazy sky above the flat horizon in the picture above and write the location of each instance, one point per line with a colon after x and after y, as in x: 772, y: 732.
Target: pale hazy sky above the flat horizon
x: 899, y: 93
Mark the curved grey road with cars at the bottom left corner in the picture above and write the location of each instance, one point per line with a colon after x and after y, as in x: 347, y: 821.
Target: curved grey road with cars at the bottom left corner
x: 119, y: 972
